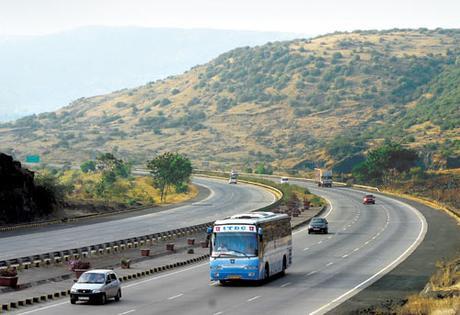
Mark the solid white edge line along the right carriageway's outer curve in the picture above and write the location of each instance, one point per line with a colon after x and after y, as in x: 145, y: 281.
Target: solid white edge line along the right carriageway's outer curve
x: 382, y: 271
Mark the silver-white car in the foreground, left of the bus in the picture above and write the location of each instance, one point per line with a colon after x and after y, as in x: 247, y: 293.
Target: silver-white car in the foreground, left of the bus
x: 96, y: 286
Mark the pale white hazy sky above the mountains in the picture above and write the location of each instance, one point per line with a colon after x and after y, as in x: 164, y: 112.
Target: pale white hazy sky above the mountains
x: 31, y: 17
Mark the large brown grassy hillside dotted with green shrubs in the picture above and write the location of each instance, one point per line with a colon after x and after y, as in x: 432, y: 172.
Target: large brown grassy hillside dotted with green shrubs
x: 292, y: 104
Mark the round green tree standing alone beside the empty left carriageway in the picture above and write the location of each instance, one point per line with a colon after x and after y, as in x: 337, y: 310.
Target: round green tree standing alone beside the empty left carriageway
x: 169, y: 169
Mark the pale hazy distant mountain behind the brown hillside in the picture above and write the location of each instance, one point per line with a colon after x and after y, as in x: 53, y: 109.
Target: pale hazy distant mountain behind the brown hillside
x: 43, y: 73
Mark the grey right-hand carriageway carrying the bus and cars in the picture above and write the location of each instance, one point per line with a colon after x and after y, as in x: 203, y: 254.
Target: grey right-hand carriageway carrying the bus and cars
x: 364, y: 243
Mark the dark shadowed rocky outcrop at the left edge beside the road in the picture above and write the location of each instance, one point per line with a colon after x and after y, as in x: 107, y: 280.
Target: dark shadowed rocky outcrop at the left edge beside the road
x: 20, y: 199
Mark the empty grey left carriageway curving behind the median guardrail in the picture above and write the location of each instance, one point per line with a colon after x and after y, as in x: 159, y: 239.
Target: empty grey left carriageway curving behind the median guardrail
x: 224, y: 200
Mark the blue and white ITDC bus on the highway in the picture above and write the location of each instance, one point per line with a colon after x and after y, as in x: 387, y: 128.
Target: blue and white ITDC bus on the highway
x: 251, y: 246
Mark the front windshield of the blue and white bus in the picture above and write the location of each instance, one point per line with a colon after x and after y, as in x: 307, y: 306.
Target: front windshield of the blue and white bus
x: 234, y: 244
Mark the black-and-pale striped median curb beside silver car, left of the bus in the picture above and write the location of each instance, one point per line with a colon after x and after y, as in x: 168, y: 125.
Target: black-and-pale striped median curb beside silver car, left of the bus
x: 133, y: 276
